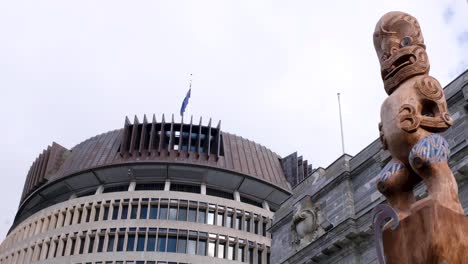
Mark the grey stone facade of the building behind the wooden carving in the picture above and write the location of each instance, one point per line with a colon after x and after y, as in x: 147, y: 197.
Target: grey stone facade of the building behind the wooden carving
x: 346, y: 193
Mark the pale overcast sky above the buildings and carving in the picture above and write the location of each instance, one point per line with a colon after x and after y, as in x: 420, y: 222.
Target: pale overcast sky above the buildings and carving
x: 269, y: 70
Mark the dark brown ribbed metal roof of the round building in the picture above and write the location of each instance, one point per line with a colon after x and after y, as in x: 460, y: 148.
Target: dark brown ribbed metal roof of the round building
x: 159, y: 142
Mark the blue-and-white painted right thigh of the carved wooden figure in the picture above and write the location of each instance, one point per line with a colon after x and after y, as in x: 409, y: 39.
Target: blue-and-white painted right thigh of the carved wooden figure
x: 432, y: 149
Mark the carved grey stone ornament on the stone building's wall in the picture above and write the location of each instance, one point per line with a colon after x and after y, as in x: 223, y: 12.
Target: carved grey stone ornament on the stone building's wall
x: 308, y: 223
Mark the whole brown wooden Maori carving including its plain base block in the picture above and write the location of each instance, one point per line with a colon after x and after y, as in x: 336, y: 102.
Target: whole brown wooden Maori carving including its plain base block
x: 434, y: 229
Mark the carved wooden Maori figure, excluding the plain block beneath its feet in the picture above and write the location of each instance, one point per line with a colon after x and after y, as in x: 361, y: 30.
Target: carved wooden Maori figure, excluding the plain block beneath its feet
x: 413, y: 113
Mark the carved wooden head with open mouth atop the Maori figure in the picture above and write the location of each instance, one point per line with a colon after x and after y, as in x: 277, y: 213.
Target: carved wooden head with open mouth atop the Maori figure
x: 400, y: 48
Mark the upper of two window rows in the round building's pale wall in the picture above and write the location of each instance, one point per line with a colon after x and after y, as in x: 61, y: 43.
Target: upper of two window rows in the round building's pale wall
x: 146, y: 208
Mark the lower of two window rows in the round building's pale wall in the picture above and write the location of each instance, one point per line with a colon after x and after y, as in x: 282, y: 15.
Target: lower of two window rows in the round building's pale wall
x: 148, y: 240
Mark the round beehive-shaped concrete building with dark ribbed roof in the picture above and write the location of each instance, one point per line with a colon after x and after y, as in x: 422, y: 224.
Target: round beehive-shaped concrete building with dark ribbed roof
x: 152, y: 192
